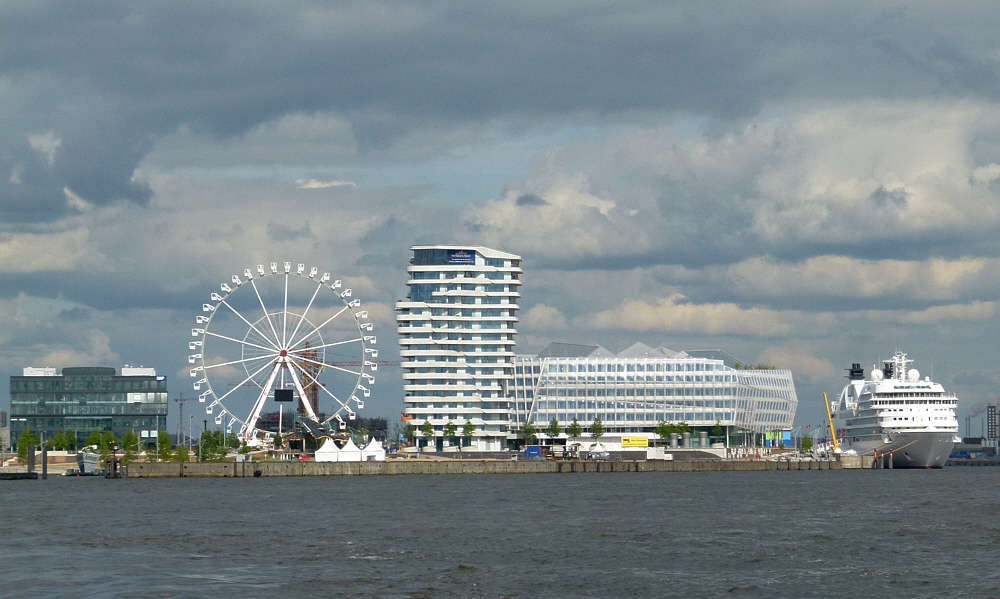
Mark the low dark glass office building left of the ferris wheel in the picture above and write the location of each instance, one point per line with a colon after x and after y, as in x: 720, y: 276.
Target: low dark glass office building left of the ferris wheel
x: 84, y: 399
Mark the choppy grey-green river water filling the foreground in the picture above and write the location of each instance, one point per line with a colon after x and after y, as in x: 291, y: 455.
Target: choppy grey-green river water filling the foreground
x: 763, y: 534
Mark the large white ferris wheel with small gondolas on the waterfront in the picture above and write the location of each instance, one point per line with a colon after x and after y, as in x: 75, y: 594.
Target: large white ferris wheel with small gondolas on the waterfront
x: 277, y: 333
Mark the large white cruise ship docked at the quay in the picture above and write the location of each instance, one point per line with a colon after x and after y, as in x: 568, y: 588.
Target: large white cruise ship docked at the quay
x: 896, y: 413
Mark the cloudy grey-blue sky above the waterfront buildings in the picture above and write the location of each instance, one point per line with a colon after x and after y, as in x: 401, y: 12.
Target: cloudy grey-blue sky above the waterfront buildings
x: 799, y: 184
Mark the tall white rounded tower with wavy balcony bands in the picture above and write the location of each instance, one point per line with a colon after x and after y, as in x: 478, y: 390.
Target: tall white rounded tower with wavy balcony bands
x: 456, y: 335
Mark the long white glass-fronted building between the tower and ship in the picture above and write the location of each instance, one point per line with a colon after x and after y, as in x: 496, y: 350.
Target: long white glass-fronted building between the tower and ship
x: 634, y: 390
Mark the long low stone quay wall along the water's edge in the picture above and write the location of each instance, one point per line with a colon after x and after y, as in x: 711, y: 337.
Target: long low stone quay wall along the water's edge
x: 395, y: 467
